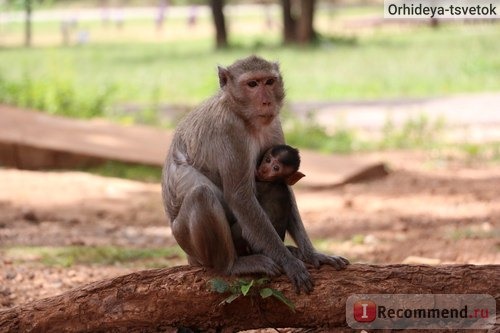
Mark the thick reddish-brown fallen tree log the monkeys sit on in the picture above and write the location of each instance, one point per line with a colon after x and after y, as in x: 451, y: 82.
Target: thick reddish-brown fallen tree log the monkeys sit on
x: 154, y: 300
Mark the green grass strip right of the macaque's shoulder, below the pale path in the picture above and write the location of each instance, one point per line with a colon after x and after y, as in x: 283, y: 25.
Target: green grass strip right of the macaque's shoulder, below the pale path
x: 419, y: 132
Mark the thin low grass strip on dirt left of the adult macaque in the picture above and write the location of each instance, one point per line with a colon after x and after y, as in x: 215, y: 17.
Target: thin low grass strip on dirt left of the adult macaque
x: 68, y: 256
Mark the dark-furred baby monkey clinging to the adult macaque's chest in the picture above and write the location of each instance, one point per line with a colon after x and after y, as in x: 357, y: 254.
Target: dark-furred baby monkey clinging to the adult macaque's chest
x: 278, y: 168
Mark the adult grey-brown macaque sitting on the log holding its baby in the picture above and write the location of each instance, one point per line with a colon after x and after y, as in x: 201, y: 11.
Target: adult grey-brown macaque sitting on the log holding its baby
x: 209, y: 179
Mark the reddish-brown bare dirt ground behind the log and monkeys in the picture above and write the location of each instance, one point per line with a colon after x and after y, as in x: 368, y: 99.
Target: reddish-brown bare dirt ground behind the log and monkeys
x: 427, y: 210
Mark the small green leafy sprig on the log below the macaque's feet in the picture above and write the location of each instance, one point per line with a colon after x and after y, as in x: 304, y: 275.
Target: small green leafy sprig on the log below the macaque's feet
x: 242, y: 287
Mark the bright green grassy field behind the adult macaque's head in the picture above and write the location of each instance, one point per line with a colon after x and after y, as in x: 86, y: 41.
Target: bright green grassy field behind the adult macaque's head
x: 136, y: 65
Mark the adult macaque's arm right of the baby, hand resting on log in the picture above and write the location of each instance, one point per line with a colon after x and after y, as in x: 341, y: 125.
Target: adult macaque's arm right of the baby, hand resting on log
x: 305, y: 250
